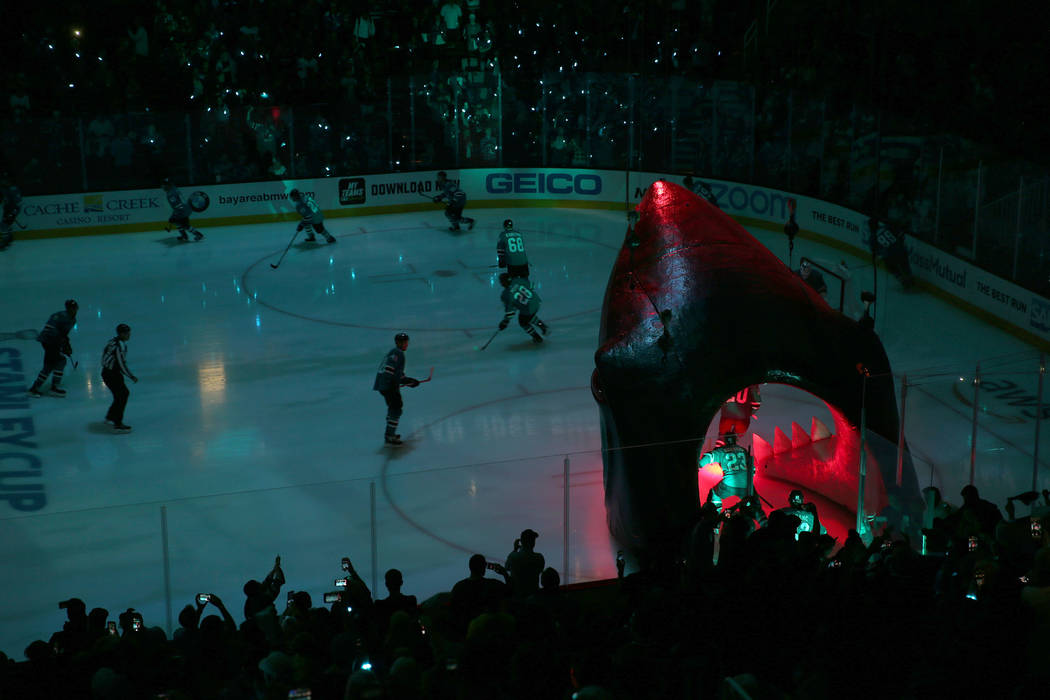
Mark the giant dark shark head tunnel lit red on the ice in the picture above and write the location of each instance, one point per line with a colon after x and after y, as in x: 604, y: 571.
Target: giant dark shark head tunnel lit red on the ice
x: 696, y: 310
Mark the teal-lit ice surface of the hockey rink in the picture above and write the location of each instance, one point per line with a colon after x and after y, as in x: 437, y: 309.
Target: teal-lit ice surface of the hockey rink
x: 257, y: 432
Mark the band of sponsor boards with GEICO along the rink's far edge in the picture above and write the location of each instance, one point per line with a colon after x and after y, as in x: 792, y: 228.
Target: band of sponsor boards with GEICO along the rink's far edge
x: 371, y: 195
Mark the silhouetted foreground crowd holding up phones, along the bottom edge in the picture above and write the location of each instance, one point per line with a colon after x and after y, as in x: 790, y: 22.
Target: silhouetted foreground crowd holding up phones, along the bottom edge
x: 785, y: 612
